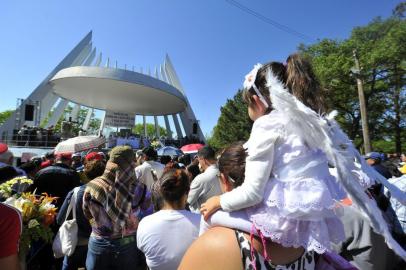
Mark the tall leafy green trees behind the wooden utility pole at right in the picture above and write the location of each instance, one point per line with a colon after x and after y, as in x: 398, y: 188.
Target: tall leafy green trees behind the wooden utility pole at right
x: 381, y: 50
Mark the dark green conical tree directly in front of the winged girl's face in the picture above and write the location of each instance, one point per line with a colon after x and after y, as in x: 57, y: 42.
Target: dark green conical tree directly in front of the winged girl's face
x: 233, y: 124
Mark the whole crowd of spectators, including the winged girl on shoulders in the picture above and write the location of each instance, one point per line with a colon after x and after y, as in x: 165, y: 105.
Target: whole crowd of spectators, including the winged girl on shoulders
x: 296, y: 195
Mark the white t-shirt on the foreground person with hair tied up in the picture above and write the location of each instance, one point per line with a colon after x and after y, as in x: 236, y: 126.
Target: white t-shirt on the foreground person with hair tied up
x: 165, y: 236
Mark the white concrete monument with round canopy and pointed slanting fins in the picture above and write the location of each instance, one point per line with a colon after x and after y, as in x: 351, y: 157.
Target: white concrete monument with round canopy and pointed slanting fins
x: 82, y: 79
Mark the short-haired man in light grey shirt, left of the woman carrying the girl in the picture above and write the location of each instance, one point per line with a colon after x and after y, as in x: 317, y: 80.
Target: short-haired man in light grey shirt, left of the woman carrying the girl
x: 206, y: 184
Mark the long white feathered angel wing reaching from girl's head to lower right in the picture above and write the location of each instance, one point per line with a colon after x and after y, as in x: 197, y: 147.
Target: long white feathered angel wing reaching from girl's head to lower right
x: 316, y: 132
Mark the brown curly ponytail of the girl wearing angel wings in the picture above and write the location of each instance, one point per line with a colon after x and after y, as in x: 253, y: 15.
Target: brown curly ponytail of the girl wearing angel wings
x: 303, y: 83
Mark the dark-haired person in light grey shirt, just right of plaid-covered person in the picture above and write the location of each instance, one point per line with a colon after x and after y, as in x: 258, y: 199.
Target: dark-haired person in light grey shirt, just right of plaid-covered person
x: 150, y: 170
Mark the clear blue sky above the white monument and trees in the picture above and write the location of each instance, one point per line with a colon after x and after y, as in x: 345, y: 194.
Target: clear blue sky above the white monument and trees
x: 212, y: 44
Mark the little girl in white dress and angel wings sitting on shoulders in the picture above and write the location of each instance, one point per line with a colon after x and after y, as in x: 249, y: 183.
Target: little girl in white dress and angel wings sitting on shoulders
x: 288, y: 194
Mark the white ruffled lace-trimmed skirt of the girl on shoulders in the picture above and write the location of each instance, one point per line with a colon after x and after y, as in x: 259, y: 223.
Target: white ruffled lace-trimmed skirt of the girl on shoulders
x: 301, y: 211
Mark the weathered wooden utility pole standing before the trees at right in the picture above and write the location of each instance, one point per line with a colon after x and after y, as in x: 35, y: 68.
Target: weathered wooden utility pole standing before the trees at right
x: 363, y: 110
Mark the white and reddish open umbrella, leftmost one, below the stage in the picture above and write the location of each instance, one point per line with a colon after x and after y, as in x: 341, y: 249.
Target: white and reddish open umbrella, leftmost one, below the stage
x: 79, y: 143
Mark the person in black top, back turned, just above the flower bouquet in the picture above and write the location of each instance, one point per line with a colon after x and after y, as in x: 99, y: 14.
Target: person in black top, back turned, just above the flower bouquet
x: 58, y: 179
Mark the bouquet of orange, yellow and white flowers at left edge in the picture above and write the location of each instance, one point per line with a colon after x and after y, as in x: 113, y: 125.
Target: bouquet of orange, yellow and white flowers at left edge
x: 38, y: 213
